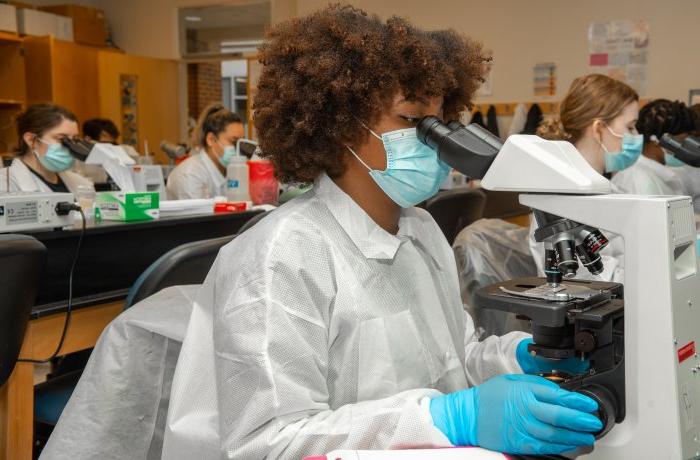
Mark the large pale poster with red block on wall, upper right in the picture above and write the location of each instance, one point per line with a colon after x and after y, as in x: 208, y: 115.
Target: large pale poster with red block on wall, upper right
x: 619, y: 49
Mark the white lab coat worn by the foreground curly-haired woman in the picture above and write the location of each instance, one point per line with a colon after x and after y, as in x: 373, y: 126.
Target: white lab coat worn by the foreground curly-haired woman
x: 317, y: 330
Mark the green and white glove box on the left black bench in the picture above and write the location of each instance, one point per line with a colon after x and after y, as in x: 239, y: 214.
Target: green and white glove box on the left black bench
x: 127, y: 206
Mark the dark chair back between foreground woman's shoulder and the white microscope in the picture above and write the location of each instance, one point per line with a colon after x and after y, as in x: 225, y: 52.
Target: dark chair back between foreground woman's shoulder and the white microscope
x: 455, y: 209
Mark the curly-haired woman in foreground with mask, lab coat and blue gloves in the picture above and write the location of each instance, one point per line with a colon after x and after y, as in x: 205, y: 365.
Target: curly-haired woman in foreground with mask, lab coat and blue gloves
x: 336, y: 321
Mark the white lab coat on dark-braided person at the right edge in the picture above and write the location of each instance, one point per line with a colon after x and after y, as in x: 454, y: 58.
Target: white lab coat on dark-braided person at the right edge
x: 648, y: 177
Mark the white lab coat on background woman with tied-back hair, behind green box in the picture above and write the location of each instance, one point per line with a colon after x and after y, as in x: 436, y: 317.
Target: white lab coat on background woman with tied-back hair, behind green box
x: 196, y: 177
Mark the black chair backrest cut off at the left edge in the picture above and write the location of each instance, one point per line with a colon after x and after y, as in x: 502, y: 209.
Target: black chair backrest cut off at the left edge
x: 22, y: 259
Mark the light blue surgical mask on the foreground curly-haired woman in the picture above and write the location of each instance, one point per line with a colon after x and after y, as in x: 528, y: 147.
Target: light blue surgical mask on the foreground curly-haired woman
x: 413, y: 170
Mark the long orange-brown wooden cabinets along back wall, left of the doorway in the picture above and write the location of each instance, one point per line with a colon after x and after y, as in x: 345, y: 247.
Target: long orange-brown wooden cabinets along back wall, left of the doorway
x: 86, y: 80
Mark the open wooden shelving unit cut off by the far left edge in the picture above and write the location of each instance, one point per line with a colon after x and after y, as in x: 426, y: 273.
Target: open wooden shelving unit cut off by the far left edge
x: 12, y: 88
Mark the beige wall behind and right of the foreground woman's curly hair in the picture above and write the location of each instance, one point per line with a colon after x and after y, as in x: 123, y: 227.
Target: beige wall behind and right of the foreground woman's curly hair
x: 521, y: 33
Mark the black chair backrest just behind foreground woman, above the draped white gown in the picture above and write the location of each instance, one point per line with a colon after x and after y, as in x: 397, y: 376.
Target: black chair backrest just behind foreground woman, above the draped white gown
x: 188, y: 263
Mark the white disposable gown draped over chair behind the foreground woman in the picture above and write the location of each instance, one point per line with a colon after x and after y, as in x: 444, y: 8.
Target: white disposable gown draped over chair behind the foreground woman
x: 119, y: 407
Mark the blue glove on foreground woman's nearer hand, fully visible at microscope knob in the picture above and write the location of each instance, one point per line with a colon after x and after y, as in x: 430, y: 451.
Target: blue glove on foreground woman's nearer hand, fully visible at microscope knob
x: 517, y: 414
